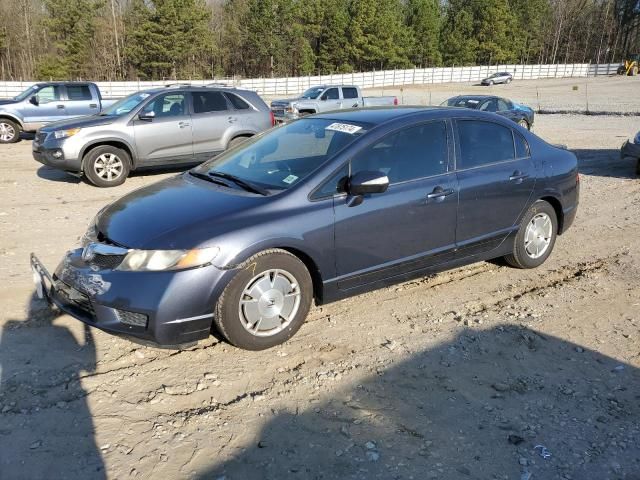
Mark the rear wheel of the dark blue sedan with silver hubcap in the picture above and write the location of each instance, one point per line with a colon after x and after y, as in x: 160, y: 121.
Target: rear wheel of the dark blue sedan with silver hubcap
x: 539, y: 223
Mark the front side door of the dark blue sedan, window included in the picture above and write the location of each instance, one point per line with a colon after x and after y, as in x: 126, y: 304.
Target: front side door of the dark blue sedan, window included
x: 411, y: 225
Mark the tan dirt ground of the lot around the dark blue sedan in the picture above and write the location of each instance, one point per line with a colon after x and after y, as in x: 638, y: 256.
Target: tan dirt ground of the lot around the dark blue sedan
x: 474, y: 373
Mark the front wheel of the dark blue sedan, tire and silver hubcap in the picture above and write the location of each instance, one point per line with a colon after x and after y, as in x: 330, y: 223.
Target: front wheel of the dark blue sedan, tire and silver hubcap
x: 243, y: 303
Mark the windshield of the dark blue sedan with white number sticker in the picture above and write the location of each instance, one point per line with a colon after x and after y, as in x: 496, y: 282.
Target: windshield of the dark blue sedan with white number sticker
x: 283, y: 157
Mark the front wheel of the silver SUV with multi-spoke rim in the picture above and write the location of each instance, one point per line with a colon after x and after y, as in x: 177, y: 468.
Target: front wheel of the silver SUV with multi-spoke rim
x: 107, y: 166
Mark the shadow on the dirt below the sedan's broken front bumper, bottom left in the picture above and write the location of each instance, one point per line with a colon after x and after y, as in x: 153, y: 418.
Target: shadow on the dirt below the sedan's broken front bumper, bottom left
x: 46, y: 428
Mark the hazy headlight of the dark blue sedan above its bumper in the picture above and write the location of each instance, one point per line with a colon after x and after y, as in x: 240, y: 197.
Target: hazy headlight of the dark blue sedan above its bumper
x: 157, y: 260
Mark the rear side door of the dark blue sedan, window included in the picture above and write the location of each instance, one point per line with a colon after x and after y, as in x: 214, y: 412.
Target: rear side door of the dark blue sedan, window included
x: 496, y: 177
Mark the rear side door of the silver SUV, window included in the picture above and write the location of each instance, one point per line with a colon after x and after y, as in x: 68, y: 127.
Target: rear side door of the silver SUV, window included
x: 212, y: 117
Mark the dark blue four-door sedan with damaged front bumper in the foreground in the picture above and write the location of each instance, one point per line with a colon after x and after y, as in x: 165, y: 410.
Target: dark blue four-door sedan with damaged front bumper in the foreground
x: 320, y: 209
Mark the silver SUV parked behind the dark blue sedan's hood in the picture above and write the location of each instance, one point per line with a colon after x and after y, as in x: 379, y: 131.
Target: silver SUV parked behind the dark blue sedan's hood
x: 173, y: 126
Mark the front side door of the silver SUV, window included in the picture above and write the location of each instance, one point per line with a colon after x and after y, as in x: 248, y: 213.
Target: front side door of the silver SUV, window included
x: 165, y: 139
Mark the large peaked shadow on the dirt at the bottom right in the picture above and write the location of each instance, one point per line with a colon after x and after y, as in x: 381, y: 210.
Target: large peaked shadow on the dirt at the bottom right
x: 475, y: 408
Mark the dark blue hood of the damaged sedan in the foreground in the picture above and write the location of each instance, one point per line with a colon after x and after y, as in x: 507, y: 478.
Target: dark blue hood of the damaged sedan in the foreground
x: 181, y: 212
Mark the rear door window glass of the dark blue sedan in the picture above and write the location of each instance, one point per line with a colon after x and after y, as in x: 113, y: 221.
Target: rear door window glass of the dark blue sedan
x: 482, y: 143
